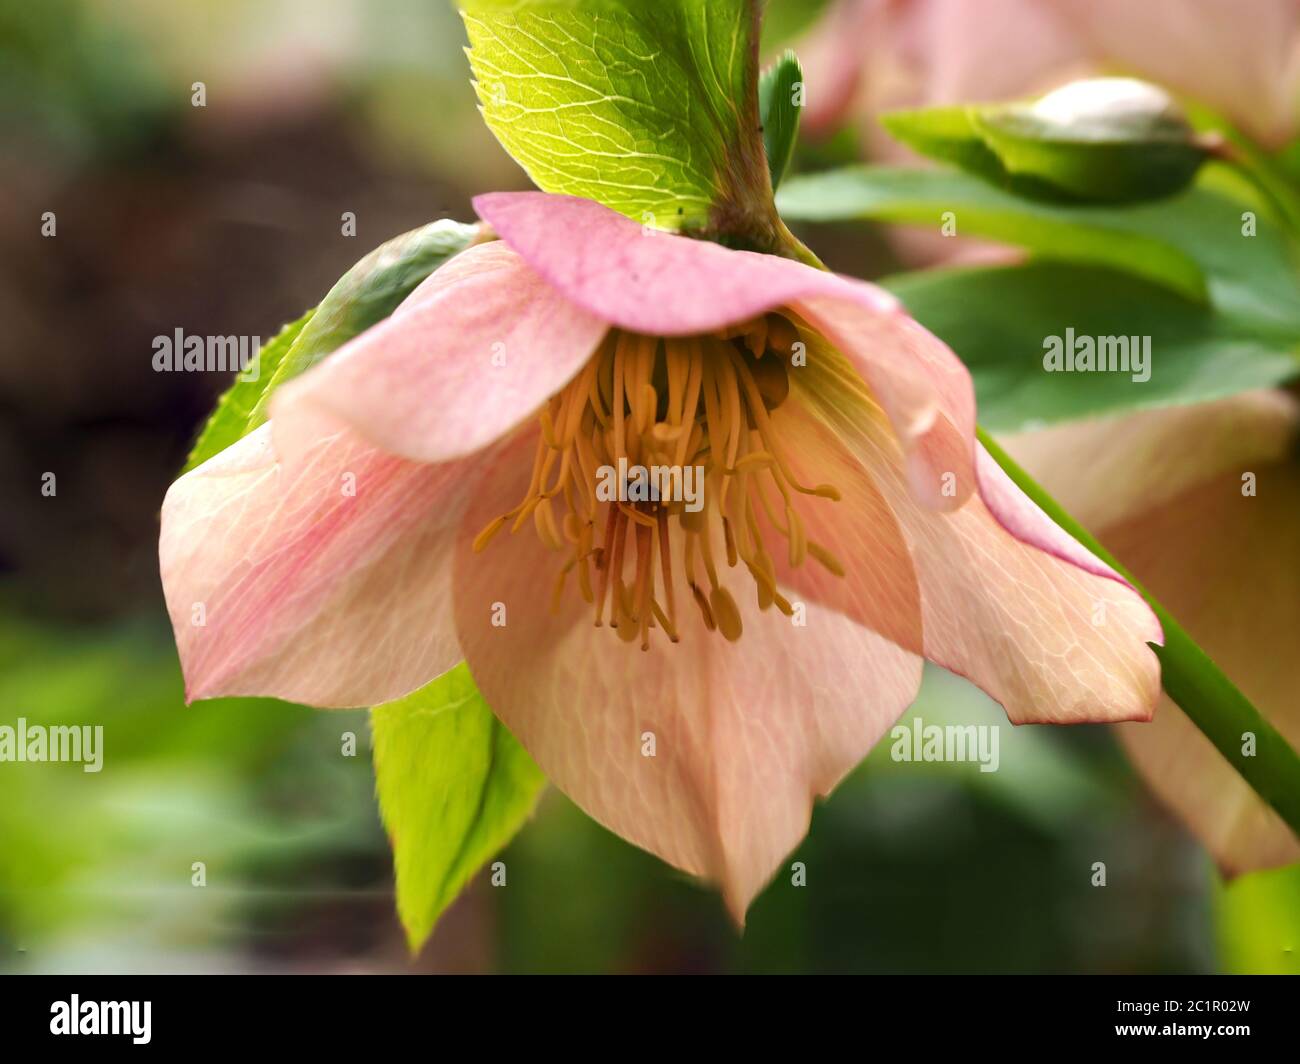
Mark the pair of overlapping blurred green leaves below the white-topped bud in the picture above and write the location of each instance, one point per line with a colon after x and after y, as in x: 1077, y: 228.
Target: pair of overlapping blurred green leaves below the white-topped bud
x: 1223, y: 310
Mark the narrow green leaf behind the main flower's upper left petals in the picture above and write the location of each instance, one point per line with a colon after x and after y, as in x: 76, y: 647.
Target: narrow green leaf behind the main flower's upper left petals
x: 366, y: 295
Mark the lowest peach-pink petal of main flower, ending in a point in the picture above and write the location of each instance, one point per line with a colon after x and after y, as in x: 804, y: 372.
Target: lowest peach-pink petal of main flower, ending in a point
x: 746, y: 734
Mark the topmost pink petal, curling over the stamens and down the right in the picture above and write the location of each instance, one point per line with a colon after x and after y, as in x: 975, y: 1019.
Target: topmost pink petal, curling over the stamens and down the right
x: 661, y: 284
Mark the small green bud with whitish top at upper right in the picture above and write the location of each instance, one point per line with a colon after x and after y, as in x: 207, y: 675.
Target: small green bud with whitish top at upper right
x: 1100, y: 141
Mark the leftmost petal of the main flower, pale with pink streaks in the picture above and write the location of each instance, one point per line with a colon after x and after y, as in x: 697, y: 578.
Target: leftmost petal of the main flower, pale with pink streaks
x: 305, y: 590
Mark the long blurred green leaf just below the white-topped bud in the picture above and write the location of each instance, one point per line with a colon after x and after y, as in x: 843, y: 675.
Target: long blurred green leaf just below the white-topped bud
x: 1193, y: 244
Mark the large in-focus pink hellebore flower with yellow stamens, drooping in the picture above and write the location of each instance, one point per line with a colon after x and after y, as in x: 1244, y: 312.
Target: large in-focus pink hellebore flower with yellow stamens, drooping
x: 361, y: 543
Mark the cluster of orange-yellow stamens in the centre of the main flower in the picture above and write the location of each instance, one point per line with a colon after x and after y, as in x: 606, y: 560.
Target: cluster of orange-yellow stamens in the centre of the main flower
x: 658, y: 446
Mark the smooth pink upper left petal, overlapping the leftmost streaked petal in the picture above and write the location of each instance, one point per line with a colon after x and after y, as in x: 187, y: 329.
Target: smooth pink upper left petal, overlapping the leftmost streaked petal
x: 470, y: 354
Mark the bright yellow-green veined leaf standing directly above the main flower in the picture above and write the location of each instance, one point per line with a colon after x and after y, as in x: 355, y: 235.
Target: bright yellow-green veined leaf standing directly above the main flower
x: 648, y: 109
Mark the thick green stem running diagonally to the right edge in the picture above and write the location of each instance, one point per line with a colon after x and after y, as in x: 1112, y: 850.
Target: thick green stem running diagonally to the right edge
x: 1210, y: 699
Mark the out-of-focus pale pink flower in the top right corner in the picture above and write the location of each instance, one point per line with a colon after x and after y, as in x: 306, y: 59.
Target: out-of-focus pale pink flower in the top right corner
x: 868, y: 57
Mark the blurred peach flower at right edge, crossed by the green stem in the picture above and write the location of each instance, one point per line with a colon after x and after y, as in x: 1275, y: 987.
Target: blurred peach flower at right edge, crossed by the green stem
x: 1203, y: 505
